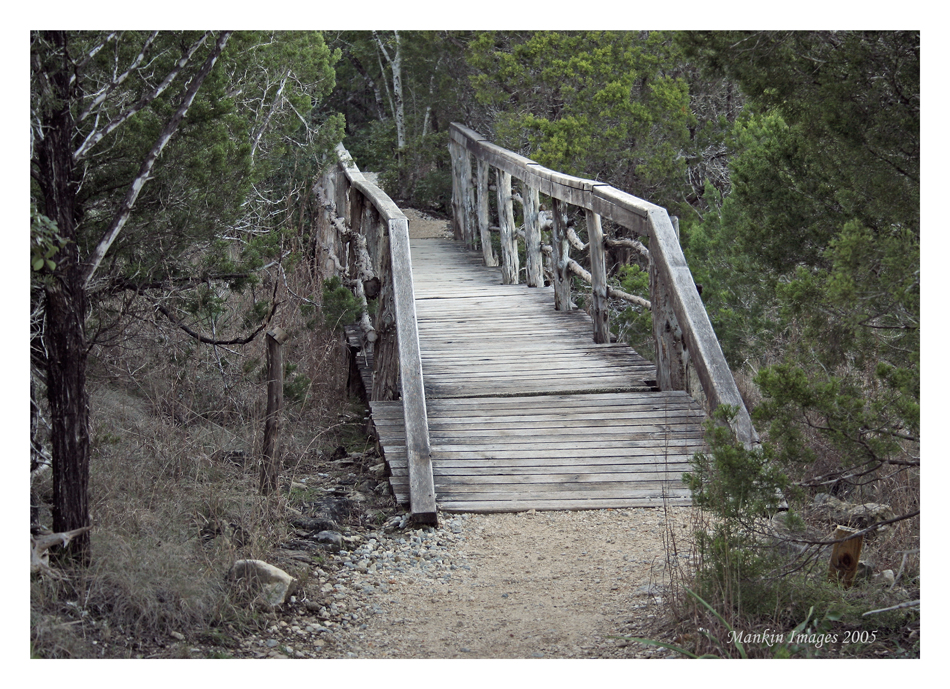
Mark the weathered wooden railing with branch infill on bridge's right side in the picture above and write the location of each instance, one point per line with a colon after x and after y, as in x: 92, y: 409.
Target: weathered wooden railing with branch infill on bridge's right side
x: 681, y: 328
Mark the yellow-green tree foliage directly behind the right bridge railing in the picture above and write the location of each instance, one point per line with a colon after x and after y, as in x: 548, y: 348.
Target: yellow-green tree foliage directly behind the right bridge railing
x: 603, y: 105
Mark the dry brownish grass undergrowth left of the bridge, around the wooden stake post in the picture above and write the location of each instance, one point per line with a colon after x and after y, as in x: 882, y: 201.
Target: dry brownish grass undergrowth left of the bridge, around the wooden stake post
x: 177, y: 431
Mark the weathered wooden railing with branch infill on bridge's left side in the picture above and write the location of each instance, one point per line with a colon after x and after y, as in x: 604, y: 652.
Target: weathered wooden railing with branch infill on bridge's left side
x: 365, y: 237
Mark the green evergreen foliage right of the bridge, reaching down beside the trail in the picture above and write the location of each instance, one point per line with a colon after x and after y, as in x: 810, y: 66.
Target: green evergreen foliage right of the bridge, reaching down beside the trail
x: 810, y: 262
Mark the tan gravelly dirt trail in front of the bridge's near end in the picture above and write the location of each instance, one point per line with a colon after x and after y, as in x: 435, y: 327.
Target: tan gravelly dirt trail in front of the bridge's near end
x: 541, y: 585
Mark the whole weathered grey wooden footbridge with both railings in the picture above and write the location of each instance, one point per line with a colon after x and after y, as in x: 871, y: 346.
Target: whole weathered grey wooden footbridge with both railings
x: 490, y: 395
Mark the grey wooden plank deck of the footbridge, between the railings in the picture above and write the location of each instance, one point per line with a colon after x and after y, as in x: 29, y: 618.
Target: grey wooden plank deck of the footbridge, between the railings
x: 524, y: 410
